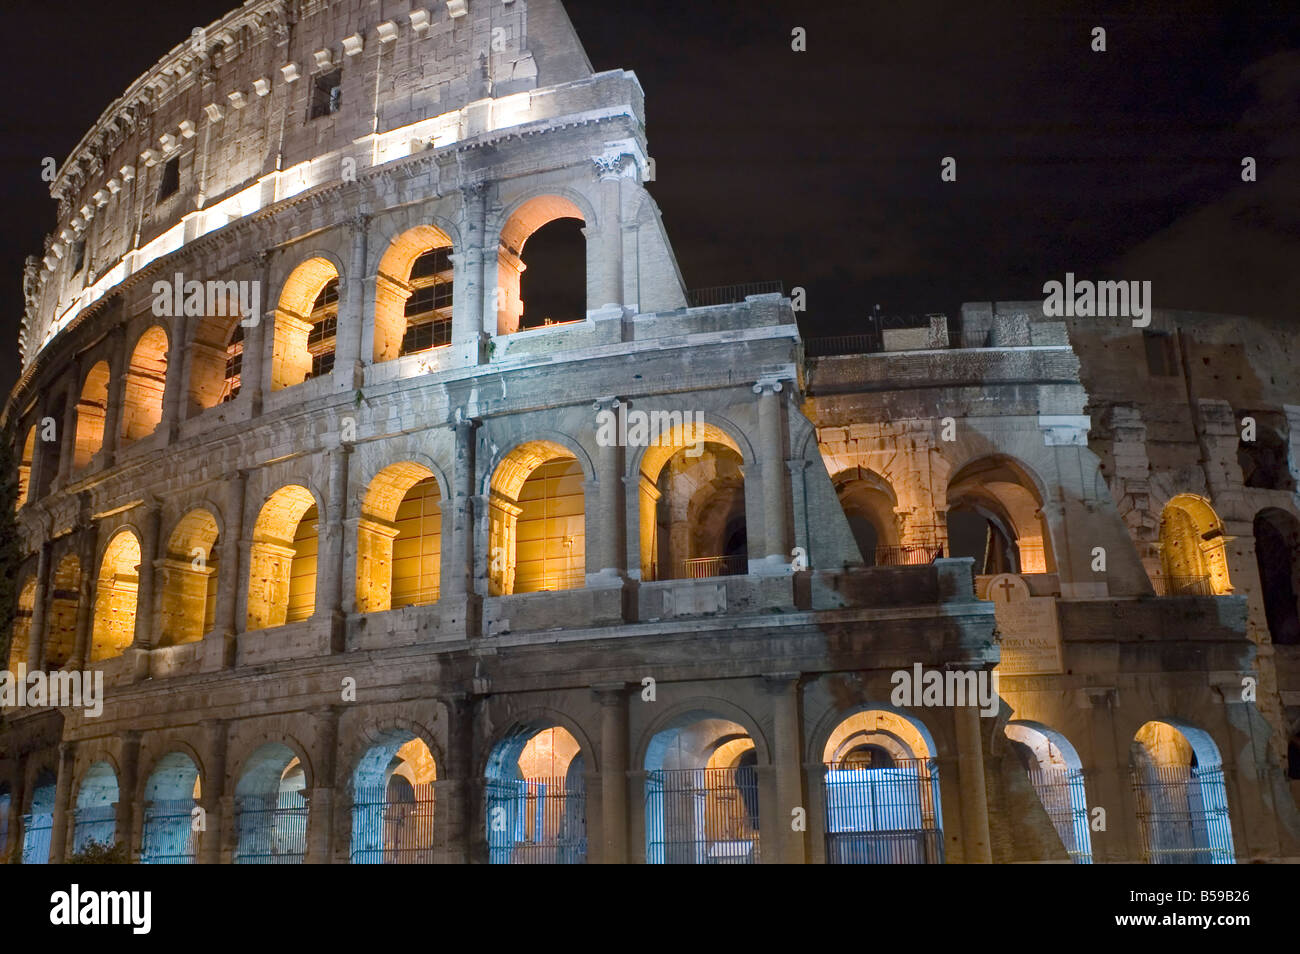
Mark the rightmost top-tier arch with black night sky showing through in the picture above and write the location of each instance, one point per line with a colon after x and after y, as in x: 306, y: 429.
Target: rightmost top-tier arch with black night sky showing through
x: 551, y: 228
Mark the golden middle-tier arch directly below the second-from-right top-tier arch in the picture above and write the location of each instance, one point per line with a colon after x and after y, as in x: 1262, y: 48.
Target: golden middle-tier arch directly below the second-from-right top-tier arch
x: 400, y: 540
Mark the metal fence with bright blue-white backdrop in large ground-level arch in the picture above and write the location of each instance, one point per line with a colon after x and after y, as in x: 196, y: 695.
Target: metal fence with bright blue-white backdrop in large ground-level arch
x: 887, y: 816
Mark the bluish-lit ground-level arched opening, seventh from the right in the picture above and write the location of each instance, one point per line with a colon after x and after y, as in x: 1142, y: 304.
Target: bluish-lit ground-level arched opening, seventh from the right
x: 271, y: 809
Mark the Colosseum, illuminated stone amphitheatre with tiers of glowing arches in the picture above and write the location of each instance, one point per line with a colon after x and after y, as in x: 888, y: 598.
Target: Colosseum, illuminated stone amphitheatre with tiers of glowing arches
x: 380, y: 565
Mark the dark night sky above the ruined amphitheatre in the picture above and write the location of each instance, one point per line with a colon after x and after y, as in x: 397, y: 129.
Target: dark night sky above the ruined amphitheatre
x: 822, y: 168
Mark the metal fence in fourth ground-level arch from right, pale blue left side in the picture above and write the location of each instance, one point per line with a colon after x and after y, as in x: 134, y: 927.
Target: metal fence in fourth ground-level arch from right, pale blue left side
x: 703, y: 817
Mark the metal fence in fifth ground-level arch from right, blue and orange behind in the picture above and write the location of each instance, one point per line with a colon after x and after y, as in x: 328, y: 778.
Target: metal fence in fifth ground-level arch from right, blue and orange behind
x: 536, y: 822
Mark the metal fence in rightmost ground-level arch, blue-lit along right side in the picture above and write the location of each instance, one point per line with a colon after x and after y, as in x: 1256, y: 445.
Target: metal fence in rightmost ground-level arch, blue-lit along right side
x: 1182, y: 816
